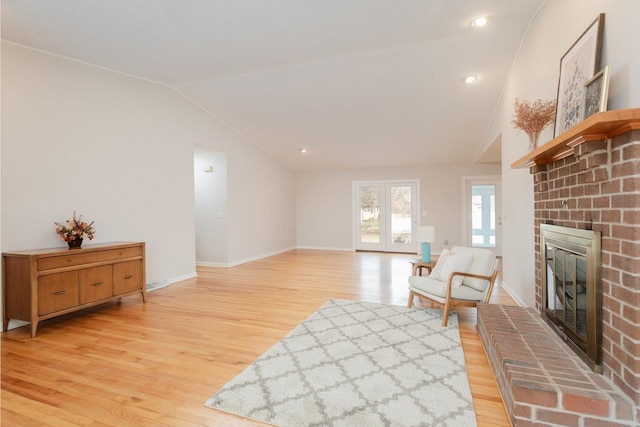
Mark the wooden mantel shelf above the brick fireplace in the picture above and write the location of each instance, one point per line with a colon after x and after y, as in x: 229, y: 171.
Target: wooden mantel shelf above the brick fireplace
x: 605, y: 125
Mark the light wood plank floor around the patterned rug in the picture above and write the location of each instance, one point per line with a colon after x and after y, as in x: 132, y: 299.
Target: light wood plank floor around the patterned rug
x: 155, y: 364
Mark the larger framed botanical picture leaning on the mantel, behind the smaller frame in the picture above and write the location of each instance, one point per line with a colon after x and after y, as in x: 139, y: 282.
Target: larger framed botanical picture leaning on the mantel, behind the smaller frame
x: 578, y: 65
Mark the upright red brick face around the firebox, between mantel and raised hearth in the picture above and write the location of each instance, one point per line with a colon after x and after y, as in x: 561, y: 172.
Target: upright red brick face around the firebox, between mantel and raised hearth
x: 598, y: 188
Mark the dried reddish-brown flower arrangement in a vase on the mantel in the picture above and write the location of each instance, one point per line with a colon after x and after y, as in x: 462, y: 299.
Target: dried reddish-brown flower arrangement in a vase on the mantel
x: 532, y: 118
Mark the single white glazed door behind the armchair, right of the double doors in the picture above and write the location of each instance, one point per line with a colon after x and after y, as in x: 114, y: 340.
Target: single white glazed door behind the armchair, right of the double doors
x: 483, y: 213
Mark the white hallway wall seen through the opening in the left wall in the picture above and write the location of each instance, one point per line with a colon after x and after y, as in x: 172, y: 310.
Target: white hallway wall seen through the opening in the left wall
x: 211, y: 207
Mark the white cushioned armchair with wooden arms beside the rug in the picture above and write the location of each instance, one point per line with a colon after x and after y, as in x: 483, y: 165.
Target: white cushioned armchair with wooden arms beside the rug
x: 463, y: 276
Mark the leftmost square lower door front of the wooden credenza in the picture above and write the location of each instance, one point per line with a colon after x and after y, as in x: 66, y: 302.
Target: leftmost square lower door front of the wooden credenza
x: 57, y: 292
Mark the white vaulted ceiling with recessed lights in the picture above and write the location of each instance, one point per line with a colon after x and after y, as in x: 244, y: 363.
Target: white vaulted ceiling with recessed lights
x: 358, y: 83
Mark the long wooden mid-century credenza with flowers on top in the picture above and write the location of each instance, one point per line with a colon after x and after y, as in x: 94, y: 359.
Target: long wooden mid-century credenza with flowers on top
x: 45, y: 283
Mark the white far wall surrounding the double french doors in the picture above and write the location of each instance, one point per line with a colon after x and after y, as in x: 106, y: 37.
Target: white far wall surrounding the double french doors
x: 324, y: 201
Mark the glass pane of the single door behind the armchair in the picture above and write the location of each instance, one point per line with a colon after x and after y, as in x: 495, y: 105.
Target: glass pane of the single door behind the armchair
x: 483, y: 215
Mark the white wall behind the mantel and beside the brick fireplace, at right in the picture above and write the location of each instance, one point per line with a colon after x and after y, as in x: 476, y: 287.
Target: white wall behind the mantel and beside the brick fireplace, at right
x: 535, y: 75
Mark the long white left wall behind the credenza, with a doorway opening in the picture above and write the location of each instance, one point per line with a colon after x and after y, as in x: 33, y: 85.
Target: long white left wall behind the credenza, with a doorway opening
x: 120, y: 150
